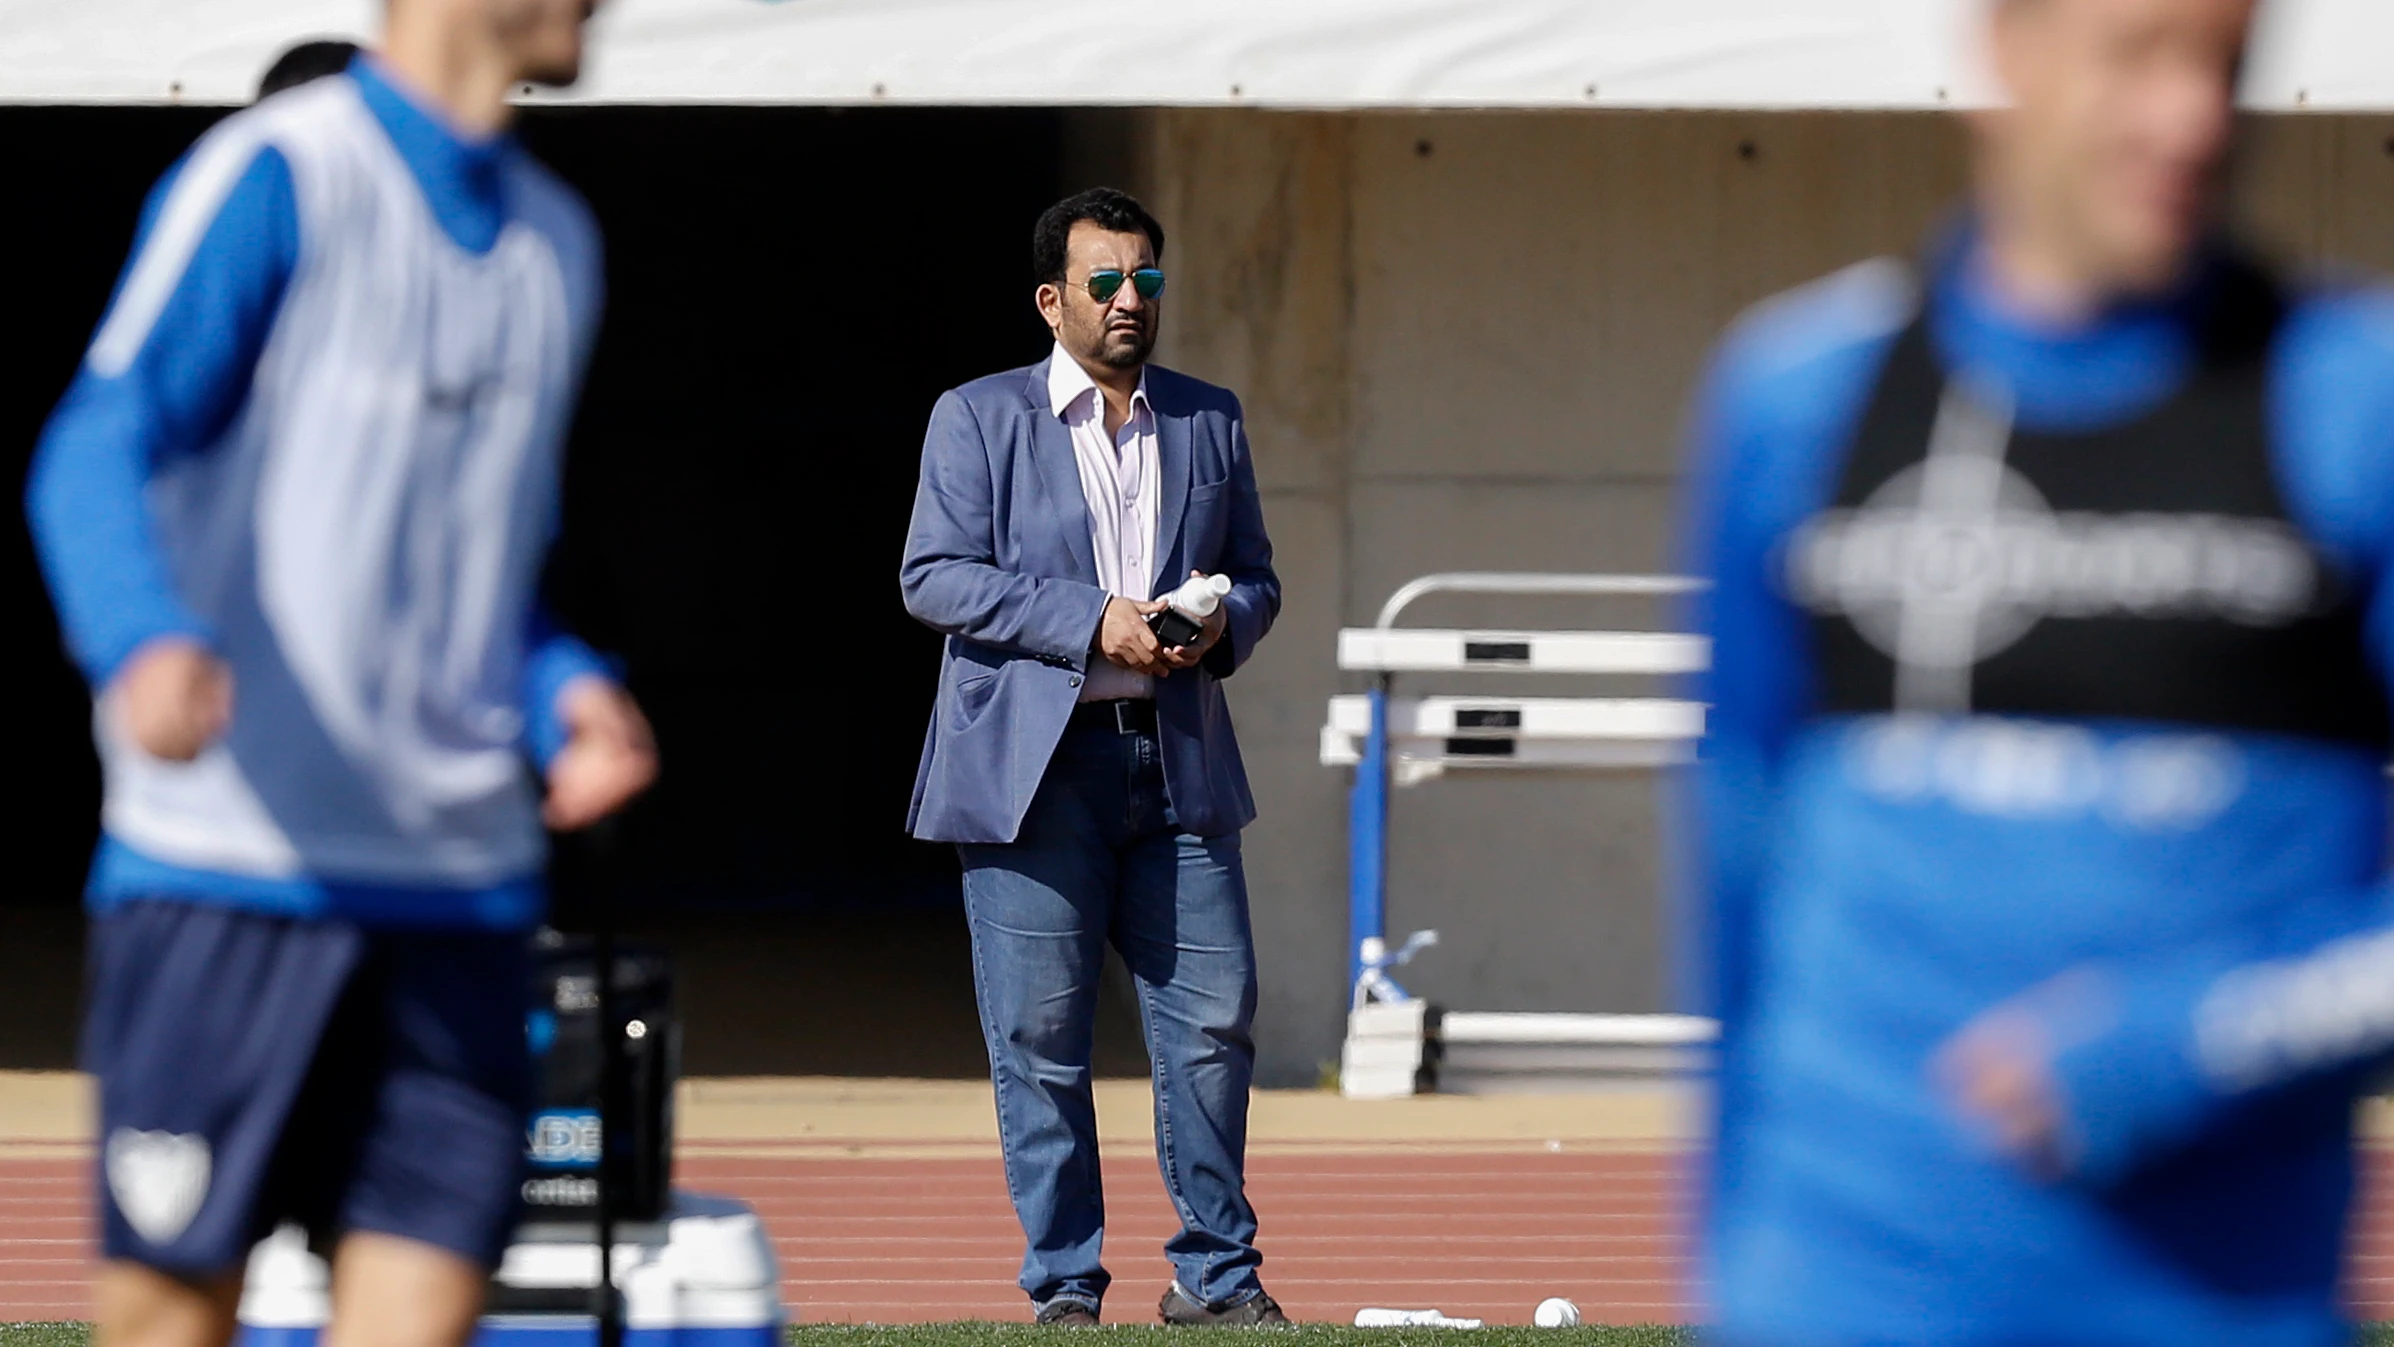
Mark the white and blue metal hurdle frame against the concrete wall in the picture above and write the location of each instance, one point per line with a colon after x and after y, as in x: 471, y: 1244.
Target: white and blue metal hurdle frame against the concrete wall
x: 1397, y: 1044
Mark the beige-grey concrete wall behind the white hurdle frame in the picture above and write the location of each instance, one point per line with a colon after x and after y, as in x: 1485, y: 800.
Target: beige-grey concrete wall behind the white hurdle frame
x: 1466, y: 343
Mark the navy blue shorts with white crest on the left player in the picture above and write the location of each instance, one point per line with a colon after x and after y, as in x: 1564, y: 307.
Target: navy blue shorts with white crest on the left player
x: 260, y: 1071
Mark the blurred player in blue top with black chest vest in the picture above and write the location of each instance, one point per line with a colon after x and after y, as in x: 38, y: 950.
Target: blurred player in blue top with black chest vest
x: 2043, y: 815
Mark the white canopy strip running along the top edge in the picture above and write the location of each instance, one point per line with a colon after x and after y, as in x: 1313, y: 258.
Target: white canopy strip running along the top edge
x: 2328, y: 56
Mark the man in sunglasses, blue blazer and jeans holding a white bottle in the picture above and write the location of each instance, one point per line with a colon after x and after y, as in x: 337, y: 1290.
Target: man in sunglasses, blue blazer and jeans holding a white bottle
x: 1088, y: 772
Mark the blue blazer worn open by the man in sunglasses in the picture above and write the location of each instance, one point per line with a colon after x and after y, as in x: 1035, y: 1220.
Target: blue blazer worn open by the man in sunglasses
x: 999, y: 561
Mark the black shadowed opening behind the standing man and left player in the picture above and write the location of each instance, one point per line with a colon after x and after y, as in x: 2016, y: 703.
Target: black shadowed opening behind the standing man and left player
x: 789, y: 291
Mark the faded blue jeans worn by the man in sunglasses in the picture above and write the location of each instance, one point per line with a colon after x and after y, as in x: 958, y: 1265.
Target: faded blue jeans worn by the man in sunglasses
x: 1100, y: 860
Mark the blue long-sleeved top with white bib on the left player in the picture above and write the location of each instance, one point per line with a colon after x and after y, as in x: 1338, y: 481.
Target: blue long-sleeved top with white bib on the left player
x: 320, y: 434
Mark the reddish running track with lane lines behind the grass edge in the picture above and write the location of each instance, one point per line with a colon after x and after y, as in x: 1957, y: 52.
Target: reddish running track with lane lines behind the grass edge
x: 897, y: 1241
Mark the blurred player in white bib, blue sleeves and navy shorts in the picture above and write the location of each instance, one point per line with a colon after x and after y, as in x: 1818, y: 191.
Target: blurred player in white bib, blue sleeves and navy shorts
x: 293, y: 516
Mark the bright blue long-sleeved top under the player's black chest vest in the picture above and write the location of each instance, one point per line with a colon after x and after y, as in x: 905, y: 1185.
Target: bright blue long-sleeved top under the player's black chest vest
x: 2196, y: 906
